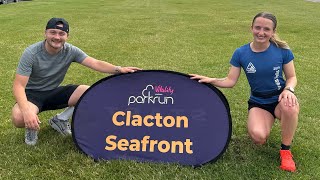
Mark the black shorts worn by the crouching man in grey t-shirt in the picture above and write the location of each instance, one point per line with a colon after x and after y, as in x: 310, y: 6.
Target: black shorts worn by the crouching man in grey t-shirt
x: 53, y: 99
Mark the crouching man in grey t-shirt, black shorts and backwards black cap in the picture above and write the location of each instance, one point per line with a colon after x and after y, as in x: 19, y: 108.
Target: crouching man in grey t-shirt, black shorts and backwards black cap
x: 41, y: 69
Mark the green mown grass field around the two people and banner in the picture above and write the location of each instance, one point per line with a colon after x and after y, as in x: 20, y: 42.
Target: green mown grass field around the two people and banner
x: 188, y: 36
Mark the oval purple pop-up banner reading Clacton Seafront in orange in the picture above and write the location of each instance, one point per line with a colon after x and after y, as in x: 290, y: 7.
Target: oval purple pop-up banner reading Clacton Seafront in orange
x: 152, y: 115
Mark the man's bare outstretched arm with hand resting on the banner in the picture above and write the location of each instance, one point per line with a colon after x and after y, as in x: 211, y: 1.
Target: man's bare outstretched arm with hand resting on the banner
x: 106, y: 67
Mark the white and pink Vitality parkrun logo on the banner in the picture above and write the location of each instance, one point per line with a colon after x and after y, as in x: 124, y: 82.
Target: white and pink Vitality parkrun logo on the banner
x: 153, y: 95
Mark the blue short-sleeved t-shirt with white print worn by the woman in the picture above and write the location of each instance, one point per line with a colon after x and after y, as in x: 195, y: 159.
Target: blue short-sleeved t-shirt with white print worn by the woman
x: 263, y: 71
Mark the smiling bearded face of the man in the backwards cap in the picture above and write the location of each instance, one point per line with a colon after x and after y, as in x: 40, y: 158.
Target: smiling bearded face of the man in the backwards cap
x: 56, y: 37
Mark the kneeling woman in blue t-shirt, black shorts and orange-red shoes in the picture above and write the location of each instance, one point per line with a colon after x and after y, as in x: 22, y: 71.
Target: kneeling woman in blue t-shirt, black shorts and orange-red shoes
x: 263, y: 60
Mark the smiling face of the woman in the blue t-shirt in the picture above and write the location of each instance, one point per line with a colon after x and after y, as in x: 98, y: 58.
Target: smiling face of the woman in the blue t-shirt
x: 262, y: 30
